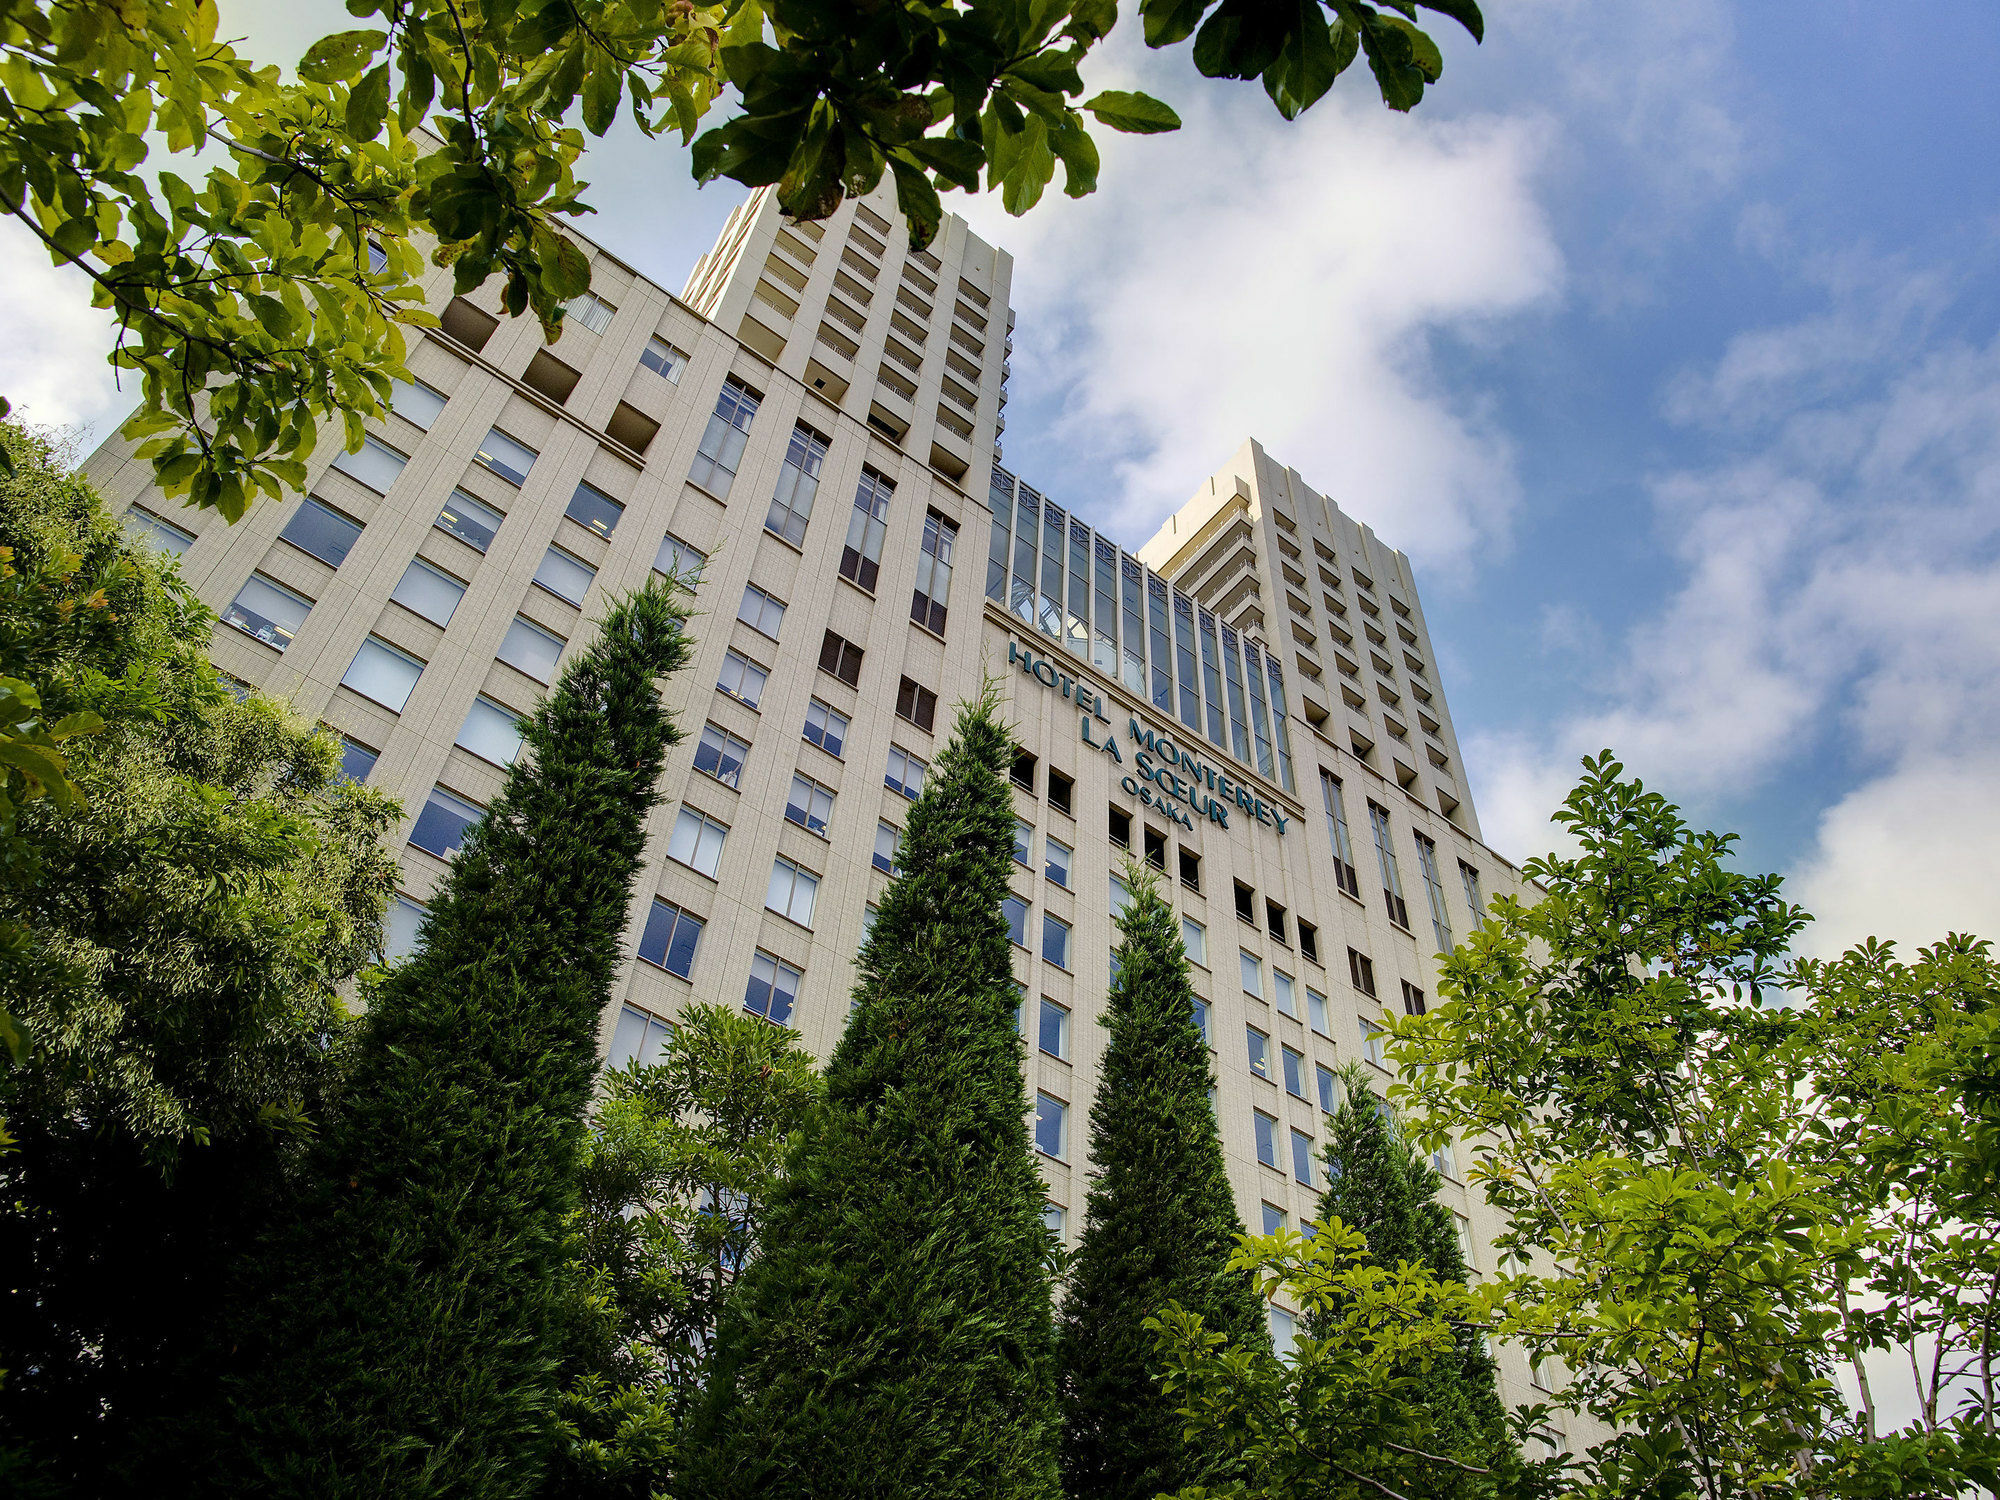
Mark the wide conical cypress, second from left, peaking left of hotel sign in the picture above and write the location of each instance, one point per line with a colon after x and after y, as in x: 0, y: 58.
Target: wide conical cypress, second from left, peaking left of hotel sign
x: 895, y: 1341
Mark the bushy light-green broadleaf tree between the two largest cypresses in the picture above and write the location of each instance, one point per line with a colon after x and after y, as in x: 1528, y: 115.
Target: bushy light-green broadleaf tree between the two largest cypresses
x: 677, y: 1183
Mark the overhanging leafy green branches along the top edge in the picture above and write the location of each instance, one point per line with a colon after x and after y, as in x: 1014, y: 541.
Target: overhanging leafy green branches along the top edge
x: 273, y: 299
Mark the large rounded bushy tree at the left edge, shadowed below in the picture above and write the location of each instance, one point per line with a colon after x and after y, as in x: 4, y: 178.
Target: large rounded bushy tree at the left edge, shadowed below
x: 173, y: 939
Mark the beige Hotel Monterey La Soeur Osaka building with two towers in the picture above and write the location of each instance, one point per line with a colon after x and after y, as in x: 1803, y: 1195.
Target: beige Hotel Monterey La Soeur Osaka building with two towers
x: 1251, y: 703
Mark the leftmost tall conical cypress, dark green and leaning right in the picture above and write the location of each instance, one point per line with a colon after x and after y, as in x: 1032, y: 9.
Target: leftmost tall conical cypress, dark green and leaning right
x: 407, y: 1341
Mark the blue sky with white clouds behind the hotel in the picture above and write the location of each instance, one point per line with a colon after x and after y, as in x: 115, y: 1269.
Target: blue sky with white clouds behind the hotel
x: 1663, y: 339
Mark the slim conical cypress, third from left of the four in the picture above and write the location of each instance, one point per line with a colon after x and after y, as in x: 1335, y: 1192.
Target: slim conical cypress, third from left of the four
x: 1161, y: 1227
